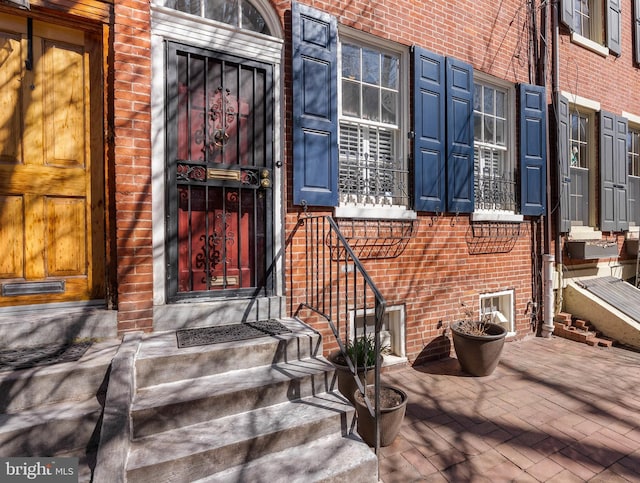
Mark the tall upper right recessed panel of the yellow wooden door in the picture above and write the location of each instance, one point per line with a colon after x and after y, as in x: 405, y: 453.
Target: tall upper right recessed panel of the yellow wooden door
x: 64, y: 104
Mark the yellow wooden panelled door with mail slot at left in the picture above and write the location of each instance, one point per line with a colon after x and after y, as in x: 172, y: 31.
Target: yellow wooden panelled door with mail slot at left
x: 51, y: 221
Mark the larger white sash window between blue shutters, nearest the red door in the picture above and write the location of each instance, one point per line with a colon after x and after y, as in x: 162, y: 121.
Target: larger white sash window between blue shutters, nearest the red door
x: 371, y: 166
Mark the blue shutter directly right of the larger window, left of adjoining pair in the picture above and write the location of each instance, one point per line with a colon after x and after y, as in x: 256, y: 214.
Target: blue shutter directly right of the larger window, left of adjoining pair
x: 429, y: 131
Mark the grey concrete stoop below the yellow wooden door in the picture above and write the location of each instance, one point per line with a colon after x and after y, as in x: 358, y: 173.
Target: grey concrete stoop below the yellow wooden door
x: 56, y: 410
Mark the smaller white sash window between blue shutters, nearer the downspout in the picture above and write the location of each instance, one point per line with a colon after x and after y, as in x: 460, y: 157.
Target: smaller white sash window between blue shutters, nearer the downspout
x: 494, y: 166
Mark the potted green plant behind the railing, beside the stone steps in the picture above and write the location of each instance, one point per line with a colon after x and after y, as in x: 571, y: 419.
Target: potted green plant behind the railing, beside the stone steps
x: 362, y: 352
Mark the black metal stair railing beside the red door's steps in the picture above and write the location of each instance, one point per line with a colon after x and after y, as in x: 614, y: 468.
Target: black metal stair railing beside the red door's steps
x: 337, y: 287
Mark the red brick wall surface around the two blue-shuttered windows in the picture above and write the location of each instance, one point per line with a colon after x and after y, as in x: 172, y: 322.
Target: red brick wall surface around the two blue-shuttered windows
x: 437, y: 271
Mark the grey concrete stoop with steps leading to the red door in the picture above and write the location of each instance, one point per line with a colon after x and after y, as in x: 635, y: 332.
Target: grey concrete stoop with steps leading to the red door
x: 256, y: 410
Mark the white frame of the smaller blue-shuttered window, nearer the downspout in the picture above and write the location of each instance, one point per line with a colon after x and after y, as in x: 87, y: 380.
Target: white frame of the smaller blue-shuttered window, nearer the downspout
x: 509, y: 147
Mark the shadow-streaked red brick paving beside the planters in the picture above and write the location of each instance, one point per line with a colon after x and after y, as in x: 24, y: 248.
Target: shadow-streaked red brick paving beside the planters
x: 554, y: 410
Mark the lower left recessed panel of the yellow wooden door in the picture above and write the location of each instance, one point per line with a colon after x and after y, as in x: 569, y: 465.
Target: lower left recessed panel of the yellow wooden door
x: 11, y: 237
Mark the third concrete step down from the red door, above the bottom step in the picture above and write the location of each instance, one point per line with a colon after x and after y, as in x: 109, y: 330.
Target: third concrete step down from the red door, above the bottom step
x: 200, y: 450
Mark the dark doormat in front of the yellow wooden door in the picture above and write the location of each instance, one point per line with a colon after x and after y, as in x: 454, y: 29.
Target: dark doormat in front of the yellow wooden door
x: 45, y: 355
